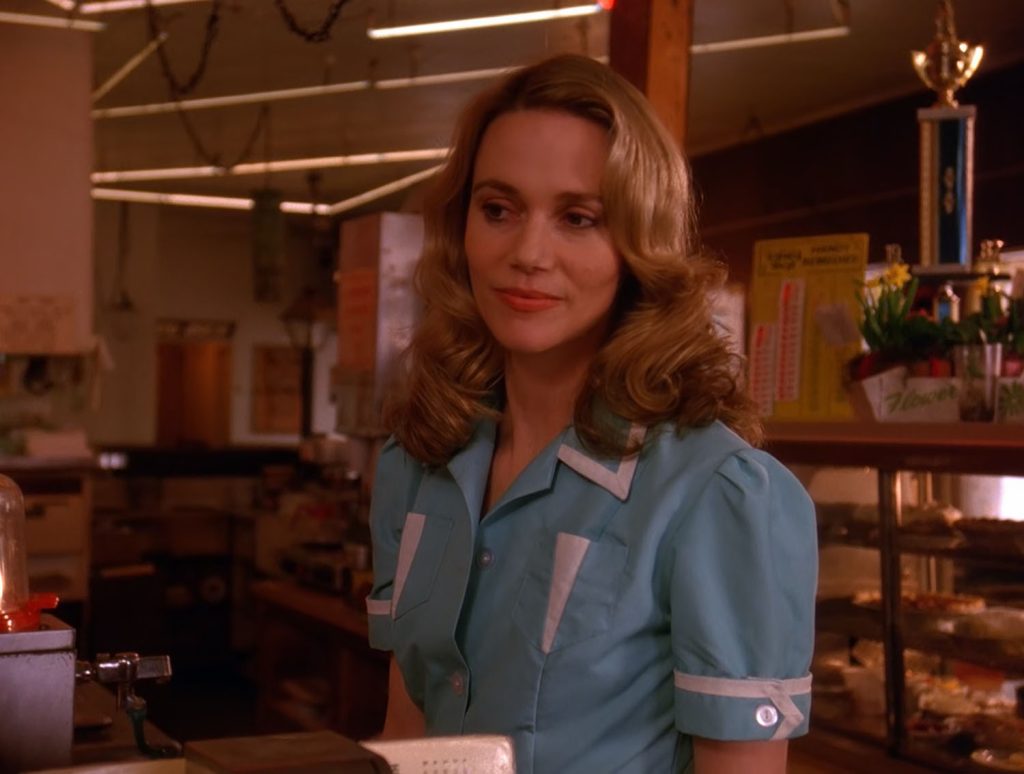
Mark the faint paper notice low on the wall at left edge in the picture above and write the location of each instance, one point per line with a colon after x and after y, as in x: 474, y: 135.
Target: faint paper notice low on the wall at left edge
x: 37, y: 325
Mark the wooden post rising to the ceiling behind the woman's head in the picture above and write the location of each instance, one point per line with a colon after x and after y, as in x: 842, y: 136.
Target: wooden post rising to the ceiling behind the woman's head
x: 650, y: 45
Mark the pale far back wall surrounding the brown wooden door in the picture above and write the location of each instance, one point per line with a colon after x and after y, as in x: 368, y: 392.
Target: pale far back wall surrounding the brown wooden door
x: 190, y: 264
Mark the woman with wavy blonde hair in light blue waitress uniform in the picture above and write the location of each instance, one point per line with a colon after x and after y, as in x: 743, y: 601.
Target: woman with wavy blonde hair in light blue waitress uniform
x: 574, y: 544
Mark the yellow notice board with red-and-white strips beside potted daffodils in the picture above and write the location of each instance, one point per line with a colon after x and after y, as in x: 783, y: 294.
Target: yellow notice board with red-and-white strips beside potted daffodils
x: 793, y: 280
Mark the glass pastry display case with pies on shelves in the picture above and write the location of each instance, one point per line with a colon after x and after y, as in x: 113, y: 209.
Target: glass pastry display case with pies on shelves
x: 921, y: 612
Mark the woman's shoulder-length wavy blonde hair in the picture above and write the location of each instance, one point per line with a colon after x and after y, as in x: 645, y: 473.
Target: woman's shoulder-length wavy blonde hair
x: 663, y: 361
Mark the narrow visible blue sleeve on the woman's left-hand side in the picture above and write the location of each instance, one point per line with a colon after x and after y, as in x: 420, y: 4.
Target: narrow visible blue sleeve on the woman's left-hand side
x: 396, y: 481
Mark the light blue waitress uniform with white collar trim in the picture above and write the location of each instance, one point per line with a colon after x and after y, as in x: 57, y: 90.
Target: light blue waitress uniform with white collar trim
x: 605, y: 611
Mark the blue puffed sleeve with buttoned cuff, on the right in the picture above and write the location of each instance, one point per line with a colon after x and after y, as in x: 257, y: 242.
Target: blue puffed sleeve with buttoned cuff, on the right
x: 742, y: 596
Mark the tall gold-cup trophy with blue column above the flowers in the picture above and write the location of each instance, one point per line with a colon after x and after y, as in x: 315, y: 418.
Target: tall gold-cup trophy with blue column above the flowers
x: 947, y: 148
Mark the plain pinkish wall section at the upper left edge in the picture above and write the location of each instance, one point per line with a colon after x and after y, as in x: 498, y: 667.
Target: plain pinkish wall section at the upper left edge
x: 46, y: 161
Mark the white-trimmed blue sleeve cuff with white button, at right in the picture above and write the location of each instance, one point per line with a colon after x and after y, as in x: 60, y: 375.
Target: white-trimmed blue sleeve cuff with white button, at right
x: 743, y: 710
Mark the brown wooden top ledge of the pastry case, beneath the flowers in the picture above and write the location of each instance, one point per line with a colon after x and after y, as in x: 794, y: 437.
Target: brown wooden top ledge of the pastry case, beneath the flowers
x: 955, y: 448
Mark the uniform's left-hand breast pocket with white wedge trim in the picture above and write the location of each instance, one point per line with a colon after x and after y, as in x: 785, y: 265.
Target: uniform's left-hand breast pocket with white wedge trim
x: 420, y: 554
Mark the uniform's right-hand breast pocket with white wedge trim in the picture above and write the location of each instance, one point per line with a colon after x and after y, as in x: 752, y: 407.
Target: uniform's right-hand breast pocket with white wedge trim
x: 570, y: 592
